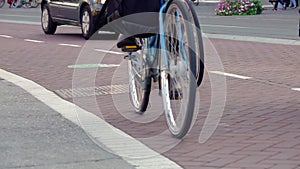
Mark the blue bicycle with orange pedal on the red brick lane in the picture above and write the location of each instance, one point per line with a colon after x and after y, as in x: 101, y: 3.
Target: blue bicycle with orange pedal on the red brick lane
x: 178, y: 65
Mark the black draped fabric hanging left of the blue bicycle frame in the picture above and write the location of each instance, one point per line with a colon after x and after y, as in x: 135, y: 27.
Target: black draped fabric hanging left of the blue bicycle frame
x: 133, y: 17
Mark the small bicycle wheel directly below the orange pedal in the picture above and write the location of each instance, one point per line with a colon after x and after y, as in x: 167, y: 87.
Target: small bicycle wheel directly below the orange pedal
x: 139, y: 82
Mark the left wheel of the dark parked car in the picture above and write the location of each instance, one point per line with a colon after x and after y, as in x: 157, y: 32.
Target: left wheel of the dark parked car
x: 49, y: 27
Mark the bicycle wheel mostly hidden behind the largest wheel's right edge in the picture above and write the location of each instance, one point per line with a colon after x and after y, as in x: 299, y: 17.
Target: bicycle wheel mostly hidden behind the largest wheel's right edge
x: 199, y: 50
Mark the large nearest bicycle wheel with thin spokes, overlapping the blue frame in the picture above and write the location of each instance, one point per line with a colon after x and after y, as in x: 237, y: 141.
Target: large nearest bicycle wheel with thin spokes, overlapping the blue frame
x: 178, y: 83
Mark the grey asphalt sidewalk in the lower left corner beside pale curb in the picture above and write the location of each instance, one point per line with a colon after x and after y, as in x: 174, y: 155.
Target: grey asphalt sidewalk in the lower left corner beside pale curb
x: 34, y: 136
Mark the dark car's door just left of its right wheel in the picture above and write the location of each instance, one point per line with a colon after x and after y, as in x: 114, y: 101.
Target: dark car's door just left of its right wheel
x: 69, y: 10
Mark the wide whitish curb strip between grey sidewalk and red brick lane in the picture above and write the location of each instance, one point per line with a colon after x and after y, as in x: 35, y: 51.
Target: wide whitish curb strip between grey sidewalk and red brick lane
x: 102, y: 133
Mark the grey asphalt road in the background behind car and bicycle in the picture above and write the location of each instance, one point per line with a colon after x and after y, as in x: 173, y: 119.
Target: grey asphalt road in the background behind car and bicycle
x: 272, y: 24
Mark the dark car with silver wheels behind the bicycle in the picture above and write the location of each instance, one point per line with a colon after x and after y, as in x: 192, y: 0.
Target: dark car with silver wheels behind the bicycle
x: 83, y: 13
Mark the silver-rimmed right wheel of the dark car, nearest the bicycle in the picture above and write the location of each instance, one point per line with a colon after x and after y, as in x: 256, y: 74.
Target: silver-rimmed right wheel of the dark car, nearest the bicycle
x: 87, y: 24
